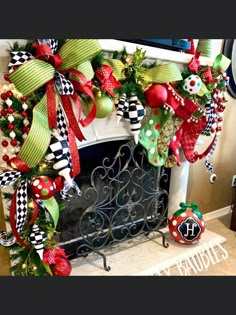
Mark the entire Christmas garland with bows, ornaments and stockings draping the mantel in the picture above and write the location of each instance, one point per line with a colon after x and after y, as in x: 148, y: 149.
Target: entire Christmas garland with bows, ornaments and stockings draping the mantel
x: 54, y: 89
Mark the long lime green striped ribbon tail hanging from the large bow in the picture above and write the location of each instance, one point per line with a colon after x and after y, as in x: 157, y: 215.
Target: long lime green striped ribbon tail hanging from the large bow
x: 38, y: 139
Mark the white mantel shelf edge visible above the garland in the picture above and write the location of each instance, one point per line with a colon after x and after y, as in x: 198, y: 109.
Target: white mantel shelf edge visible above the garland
x: 164, y: 55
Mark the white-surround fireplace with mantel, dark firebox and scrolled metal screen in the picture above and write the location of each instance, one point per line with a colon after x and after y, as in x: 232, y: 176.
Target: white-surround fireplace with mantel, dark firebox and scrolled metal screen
x: 123, y: 196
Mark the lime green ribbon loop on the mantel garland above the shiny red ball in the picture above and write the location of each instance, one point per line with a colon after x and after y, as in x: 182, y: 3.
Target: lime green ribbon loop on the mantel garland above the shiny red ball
x: 162, y: 73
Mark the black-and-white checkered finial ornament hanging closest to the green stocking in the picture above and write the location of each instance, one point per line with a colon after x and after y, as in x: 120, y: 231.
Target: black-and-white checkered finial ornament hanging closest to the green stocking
x: 134, y: 115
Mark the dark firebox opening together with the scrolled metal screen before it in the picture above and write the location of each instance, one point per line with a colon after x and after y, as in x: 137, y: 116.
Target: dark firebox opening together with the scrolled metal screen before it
x: 122, y: 196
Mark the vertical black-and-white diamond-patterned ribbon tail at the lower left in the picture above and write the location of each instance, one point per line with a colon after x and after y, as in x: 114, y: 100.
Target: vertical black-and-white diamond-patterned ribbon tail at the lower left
x: 21, y: 205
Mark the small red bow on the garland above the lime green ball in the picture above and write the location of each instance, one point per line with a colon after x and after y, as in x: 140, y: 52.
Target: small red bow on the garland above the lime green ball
x: 109, y: 82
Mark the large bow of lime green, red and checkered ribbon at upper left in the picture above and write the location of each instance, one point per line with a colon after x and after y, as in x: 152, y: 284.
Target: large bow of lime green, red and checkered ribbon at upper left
x: 49, y: 69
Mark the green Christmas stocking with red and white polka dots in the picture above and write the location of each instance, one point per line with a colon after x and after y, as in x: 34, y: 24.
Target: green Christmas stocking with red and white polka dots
x: 150, y: 133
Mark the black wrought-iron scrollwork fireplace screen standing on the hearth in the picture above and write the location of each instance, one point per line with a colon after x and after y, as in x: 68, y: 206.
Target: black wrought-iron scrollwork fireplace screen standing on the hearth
x: 124, y: 199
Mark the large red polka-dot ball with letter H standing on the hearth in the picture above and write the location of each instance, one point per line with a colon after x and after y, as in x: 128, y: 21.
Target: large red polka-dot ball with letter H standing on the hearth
x: 186, y: 226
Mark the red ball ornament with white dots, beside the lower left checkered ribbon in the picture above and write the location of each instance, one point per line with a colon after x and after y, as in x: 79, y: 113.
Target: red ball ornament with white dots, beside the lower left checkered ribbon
x: 43, y: 187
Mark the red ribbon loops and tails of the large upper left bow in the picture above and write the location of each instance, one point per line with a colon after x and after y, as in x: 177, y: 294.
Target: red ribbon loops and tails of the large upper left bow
x: 45, y: 53
